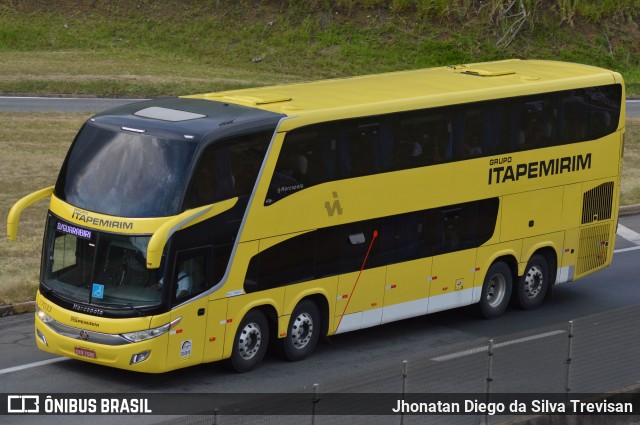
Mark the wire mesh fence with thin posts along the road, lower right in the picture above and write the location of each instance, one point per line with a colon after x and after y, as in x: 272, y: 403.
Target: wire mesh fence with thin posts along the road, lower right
x: 584, y: 357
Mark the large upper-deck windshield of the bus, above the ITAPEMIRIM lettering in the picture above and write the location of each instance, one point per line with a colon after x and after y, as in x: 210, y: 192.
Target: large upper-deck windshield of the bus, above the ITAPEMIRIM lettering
x: 125, y: 174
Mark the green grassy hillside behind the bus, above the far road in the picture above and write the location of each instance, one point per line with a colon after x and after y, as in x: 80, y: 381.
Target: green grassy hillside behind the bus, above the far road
x: 153, y: 48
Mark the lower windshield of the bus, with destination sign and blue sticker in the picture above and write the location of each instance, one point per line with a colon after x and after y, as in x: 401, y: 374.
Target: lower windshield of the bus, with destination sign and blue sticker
x: 99, y: 268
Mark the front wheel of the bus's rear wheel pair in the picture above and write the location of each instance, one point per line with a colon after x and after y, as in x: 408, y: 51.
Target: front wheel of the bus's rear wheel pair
x: 496, y: 290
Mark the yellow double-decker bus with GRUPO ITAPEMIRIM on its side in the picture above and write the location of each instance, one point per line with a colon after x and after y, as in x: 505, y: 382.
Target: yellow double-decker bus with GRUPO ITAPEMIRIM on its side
x: 202, y: 228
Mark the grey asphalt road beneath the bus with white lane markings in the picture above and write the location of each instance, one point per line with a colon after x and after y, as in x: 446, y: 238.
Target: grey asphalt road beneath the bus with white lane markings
x: 446, y: 352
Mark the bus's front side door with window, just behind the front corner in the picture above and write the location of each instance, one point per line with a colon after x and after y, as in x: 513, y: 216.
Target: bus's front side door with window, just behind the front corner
x: 187, y: 338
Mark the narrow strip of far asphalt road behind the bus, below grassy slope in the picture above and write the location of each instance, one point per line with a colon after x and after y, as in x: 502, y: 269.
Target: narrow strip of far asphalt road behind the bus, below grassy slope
x: 61, y: 104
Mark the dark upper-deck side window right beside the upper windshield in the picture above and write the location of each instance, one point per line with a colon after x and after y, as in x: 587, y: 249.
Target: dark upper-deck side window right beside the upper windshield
x: 227, y: 169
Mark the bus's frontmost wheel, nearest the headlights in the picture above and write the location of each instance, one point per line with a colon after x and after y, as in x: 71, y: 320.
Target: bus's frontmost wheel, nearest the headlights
x: 251, y: 341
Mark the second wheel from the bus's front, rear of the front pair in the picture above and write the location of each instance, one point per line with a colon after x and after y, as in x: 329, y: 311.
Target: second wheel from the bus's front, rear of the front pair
x: 303, y: 331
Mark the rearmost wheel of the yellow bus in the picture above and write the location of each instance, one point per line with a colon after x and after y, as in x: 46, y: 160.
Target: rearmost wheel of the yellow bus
x: 534, y: 283
